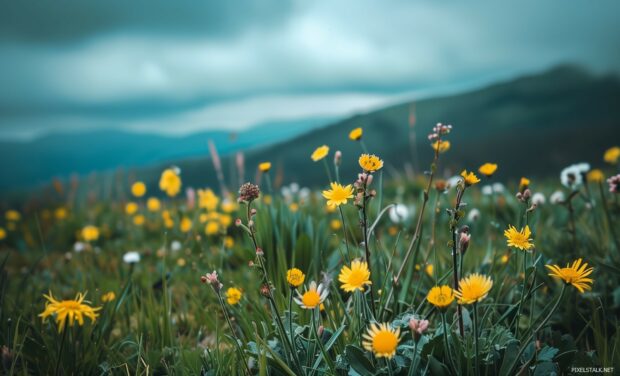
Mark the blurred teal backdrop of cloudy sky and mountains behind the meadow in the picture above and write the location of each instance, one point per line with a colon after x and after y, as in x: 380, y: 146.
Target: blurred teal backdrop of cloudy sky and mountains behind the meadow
x: 97, y: 89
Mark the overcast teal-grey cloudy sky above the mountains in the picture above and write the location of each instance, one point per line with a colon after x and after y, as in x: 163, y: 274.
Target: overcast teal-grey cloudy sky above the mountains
x: 182, y: 66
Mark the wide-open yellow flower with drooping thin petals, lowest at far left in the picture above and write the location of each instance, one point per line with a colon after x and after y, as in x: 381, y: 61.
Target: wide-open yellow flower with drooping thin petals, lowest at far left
x: 73, y: 310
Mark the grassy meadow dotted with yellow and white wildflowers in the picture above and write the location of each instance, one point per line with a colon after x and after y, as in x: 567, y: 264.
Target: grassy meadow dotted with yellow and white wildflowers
x: 462, y: 275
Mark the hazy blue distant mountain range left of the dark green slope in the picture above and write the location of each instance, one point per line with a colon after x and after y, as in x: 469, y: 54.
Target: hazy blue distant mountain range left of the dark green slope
x: 59, y: 155
